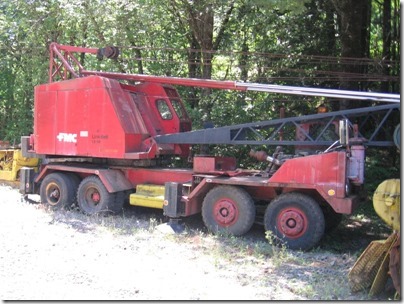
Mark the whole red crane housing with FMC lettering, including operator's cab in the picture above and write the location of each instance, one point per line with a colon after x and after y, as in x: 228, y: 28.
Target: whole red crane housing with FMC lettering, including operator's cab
x: 100, y: 117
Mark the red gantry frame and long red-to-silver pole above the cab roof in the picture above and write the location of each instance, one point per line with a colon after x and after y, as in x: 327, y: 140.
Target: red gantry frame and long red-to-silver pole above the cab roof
x: 69, y: 63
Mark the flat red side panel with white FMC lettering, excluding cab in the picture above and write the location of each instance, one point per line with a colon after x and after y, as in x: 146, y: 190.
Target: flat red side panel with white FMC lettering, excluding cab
x: 81, y: 120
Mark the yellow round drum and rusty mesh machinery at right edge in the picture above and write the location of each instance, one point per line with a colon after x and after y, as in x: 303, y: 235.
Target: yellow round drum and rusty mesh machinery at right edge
x: 381, y: 258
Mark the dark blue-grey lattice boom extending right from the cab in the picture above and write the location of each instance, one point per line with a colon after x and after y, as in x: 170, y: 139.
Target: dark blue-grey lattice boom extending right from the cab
x: 267, y: 132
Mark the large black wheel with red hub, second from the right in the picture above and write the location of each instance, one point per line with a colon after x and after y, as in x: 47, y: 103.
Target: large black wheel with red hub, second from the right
x: 228, y: 210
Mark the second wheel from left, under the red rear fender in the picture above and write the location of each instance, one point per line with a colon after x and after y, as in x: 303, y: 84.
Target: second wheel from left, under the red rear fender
x: 94, y: 198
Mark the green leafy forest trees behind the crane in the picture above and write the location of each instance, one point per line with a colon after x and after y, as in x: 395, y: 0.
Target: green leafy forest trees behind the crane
x: 347, y: 44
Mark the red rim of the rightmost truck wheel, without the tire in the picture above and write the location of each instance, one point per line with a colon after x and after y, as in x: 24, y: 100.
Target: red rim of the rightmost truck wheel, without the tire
x: 292, y: 222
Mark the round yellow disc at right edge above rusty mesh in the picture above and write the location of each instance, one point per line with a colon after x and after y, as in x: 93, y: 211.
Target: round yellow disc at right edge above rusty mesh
x: 386, y: 202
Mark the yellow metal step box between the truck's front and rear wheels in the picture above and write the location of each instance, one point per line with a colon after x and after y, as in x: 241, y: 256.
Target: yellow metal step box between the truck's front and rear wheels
x: 151, y: 196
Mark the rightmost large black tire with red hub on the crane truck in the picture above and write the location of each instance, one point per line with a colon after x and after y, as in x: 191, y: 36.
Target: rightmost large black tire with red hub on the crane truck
x: 296, y: 220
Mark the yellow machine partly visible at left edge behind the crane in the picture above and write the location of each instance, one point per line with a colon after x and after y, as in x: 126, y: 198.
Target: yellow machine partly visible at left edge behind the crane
x: 11, y: 161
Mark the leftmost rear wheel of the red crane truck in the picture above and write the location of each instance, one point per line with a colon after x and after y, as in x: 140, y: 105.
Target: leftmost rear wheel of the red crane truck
x: 56, y: 191
